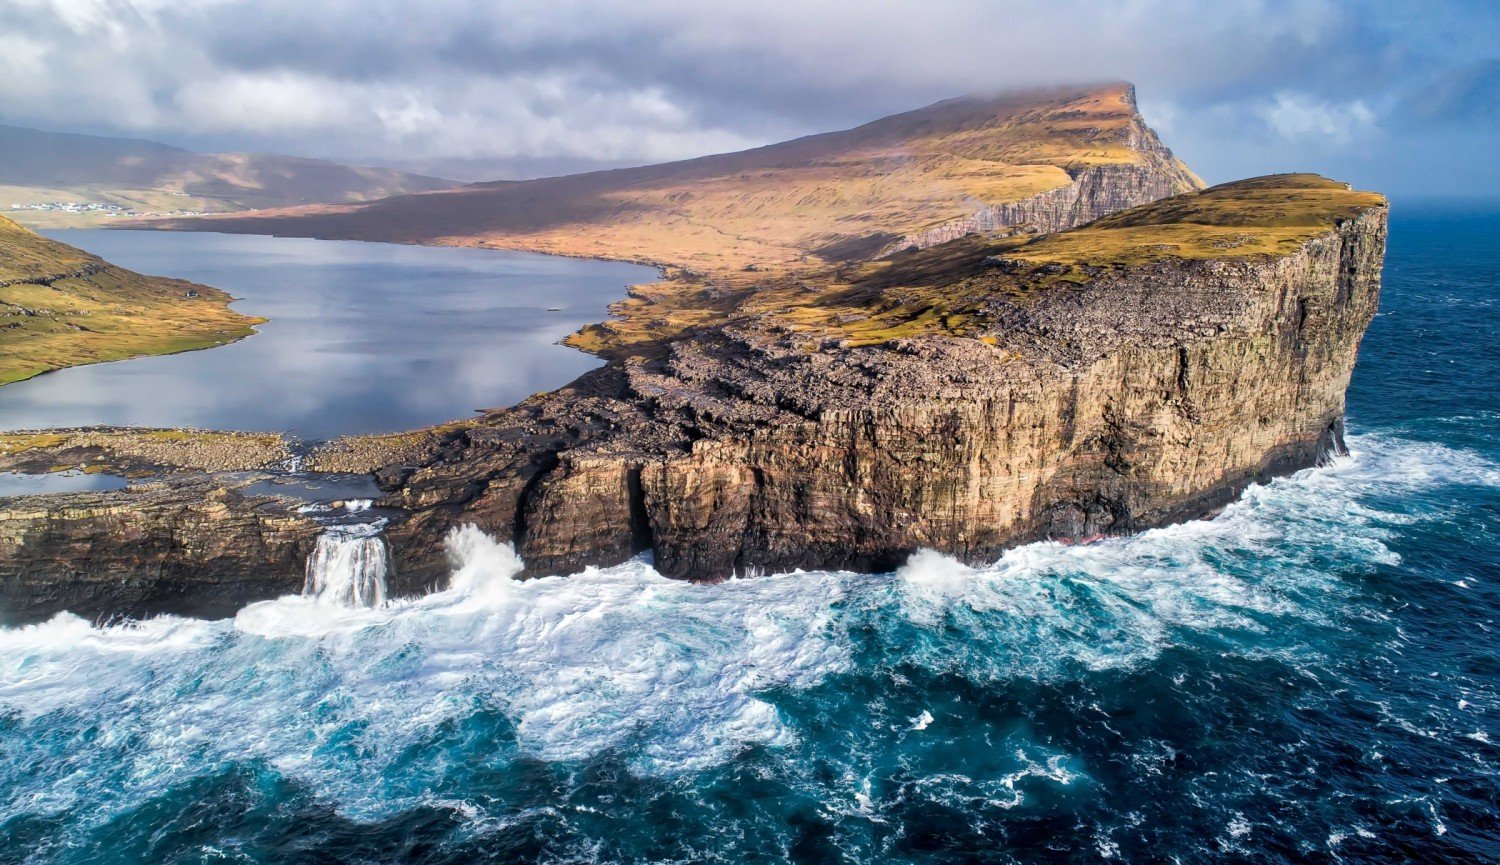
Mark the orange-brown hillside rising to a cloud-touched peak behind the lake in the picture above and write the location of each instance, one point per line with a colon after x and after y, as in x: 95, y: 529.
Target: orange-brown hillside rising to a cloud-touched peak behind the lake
x: 1043, y: 161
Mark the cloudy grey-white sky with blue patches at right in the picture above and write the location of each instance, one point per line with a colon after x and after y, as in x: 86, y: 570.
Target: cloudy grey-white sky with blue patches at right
x: 1399, y: 97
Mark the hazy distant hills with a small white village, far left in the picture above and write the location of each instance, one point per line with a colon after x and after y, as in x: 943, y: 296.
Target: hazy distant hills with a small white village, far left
x: 145, y: 178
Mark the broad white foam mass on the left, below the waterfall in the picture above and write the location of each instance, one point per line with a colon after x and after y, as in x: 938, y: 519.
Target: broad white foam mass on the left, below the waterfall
x: 623, y: 659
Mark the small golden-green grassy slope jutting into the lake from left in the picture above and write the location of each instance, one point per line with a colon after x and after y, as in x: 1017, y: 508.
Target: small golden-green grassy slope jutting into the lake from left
x: 61, y: 307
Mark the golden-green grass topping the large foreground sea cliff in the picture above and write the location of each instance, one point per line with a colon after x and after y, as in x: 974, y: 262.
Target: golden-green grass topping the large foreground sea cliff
x: 947, y: 289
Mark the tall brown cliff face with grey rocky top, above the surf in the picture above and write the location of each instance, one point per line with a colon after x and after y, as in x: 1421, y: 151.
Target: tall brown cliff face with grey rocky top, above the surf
x: 1111, y: 407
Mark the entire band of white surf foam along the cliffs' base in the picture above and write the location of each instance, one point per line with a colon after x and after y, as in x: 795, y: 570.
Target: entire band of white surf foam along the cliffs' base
x: 671, y: 677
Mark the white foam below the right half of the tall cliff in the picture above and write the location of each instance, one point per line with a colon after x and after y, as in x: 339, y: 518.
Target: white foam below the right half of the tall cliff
x: 1123, y: 600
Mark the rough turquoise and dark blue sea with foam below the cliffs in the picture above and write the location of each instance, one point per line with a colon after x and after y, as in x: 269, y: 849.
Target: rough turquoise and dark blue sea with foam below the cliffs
x: 1312, y: 677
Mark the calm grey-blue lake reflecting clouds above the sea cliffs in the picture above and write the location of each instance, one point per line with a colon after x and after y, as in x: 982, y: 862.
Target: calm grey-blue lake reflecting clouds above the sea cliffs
x: 364, y: 337
